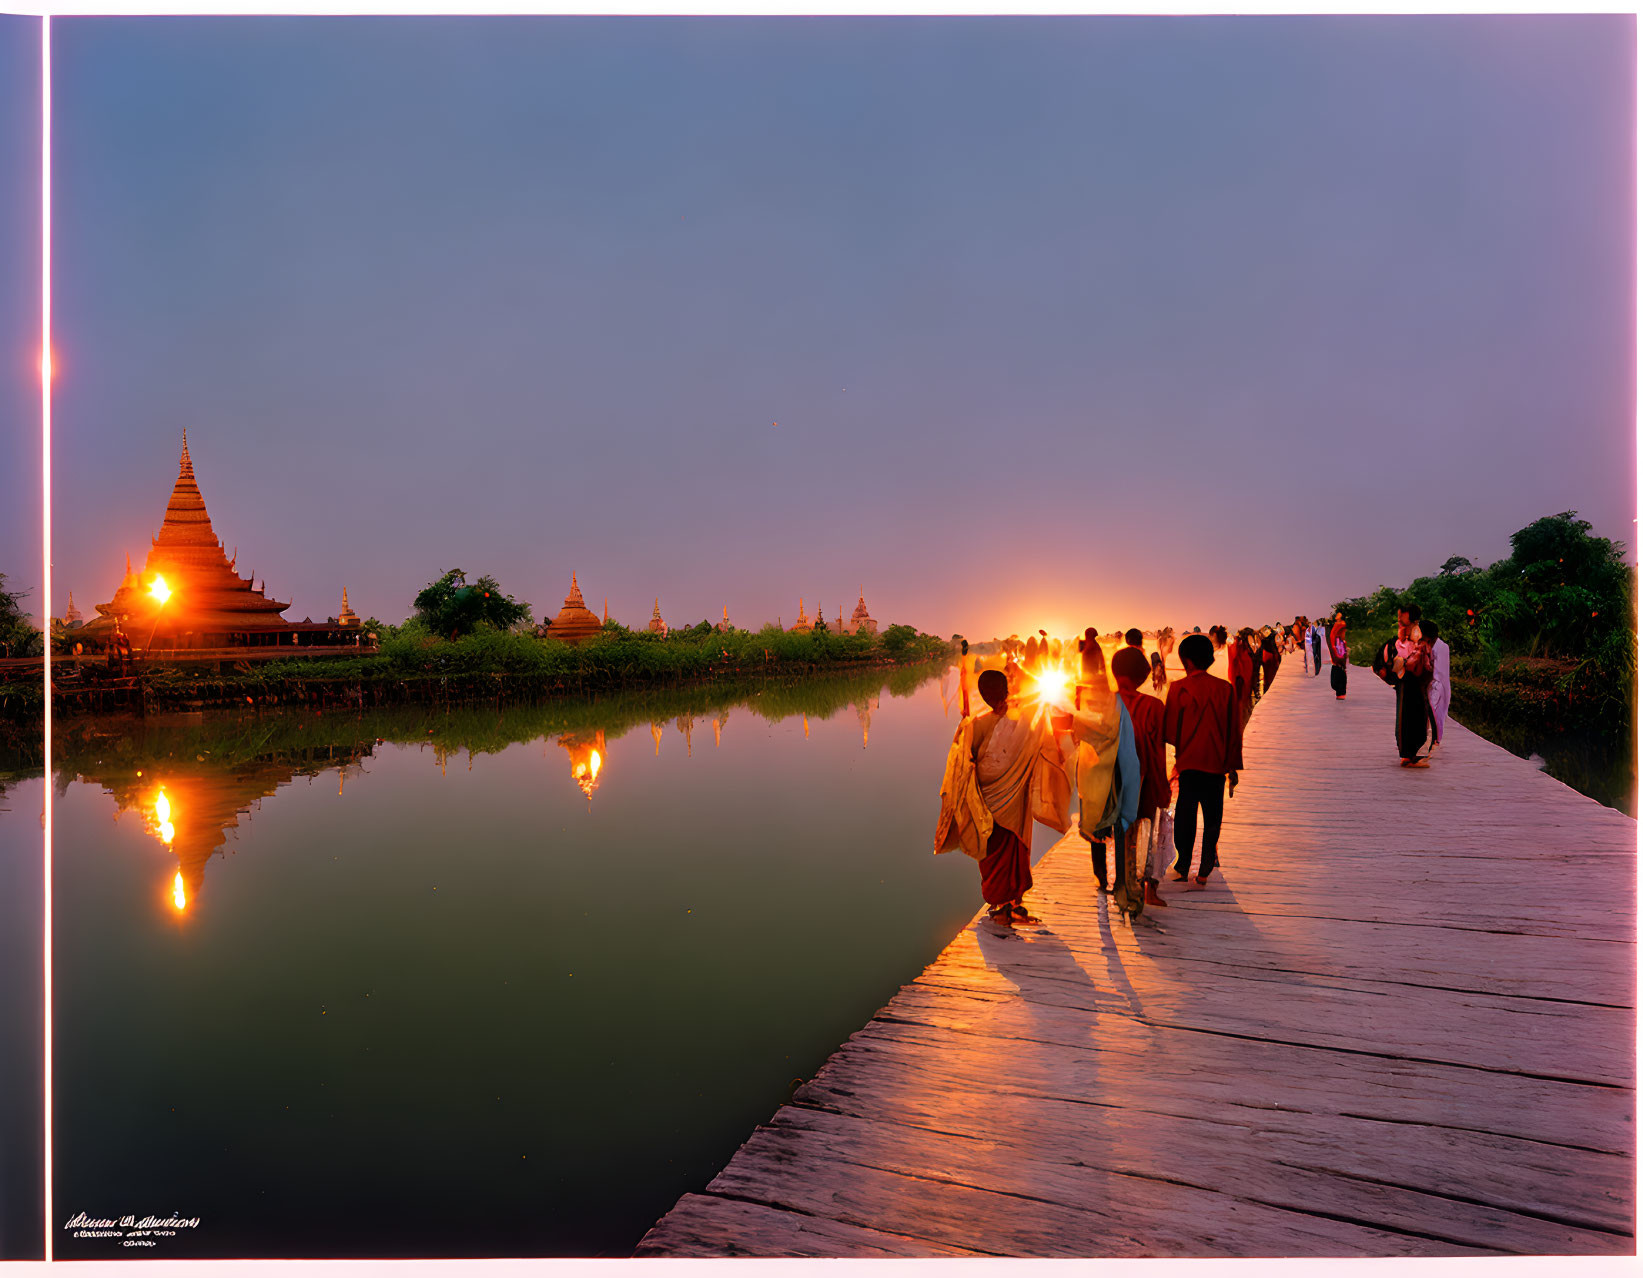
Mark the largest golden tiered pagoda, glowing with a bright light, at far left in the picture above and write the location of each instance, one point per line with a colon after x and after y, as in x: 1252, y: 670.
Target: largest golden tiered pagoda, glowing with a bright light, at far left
x: 209, y: 604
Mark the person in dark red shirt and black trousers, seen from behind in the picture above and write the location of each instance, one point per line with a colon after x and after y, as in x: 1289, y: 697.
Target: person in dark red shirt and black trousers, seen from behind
x: 1202, y: 720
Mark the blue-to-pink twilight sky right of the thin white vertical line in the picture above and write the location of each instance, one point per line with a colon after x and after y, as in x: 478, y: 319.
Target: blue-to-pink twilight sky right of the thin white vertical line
x: 1015, y: 323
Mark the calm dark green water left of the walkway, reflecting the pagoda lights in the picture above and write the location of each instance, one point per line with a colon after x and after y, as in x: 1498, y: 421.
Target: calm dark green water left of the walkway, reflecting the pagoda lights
x: 382, y: 991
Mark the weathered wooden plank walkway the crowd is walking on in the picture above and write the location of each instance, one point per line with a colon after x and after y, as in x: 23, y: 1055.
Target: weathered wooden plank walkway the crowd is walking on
x: 1399, y: 1023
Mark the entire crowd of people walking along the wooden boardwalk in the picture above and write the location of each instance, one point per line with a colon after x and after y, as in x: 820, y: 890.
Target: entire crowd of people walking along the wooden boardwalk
x: 1061, y: 717
